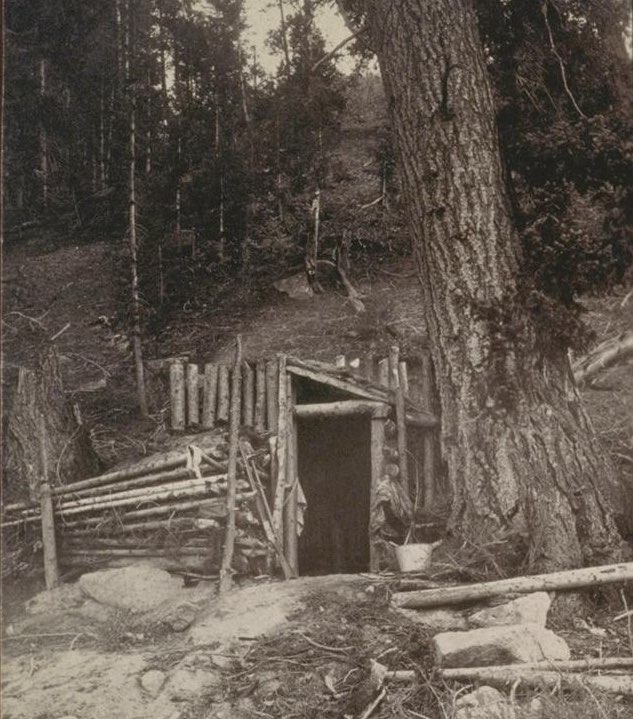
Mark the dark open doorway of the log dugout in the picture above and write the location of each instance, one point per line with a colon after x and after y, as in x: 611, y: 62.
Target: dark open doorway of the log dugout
x: 334, y: 468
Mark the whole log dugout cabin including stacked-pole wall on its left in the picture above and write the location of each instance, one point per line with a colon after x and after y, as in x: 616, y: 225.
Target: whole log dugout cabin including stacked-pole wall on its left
x: 334, y: 461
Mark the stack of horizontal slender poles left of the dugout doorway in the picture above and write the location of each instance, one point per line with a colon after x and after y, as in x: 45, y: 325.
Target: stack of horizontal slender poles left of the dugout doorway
x: 169, y: 510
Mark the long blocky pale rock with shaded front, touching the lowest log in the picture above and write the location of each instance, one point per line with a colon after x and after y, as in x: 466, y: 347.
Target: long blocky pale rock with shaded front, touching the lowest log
x: 508, y: 644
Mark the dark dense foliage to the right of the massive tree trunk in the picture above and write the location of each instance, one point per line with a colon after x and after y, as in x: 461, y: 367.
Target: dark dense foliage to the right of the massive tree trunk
x: 562, y: 77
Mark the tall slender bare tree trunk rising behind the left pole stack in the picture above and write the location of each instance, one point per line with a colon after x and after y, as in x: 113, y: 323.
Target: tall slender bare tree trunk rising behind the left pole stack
x: 136, y: 302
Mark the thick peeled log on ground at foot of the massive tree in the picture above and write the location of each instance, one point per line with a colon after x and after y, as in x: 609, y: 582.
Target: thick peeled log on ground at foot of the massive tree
x: 570, y: 579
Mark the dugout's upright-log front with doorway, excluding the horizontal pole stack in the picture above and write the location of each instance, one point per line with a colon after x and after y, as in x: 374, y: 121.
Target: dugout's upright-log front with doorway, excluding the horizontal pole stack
x: 355, y: 449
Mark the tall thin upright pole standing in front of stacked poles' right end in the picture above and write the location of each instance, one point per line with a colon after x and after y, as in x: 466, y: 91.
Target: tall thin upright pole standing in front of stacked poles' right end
x: 229, y: 543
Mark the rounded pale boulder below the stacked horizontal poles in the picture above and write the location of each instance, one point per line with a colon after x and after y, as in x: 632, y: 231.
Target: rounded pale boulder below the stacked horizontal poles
x: 138, y: 588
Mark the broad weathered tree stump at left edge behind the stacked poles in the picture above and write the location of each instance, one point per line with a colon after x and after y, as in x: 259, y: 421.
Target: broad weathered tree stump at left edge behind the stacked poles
x: 68, y: 448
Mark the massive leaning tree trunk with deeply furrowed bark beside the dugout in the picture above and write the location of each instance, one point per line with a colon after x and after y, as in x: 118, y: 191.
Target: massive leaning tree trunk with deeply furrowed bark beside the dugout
x: 520, y: 450
